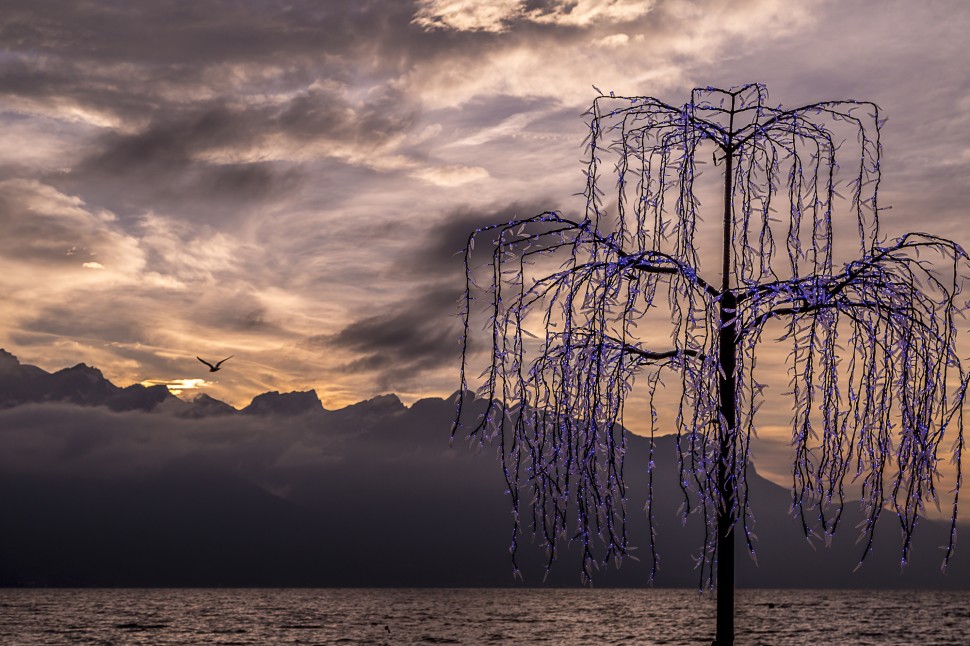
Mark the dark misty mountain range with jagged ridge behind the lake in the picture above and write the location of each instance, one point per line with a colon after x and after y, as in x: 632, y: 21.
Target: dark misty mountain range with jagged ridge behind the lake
x: 108, y: 486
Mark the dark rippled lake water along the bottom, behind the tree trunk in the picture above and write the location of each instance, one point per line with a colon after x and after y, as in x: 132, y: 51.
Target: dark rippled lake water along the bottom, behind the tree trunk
x: 469, y: 616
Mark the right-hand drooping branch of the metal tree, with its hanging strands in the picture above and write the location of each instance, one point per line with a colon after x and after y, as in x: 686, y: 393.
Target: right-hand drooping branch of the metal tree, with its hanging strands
x: 890, y: 305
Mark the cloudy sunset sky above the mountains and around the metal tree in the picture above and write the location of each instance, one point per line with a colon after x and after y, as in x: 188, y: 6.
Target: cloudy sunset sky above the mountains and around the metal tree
x: 288, y: 181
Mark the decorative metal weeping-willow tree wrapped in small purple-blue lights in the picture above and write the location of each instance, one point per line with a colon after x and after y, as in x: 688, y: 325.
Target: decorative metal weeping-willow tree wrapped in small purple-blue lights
x: 876, y: 381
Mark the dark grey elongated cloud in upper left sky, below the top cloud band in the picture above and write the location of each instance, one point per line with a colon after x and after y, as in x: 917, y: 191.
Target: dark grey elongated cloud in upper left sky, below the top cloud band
x: 187, y: 158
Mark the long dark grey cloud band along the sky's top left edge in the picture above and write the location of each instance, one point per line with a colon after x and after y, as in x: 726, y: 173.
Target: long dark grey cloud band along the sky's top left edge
x: 93, y: 50
